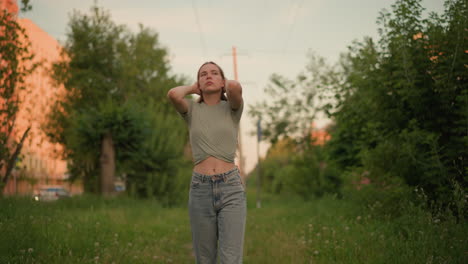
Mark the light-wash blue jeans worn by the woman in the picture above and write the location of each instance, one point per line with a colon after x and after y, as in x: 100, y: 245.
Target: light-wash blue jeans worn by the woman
x: 217, y: 210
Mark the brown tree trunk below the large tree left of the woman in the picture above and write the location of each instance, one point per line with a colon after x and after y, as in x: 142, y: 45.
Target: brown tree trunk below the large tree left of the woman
x: 107, y: 165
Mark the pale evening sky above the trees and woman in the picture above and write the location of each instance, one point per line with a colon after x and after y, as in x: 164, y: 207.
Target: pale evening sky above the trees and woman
x: 271, y: 36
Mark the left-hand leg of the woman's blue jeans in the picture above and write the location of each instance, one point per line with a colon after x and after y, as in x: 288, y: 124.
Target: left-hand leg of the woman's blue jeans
x: 203, y: 222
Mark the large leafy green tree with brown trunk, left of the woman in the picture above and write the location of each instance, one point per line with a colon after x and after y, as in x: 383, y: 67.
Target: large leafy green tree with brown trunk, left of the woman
x: 114, y: 80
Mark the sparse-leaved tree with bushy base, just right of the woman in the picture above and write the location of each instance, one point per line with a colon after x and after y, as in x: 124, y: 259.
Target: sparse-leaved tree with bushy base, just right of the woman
x: 293, y: 163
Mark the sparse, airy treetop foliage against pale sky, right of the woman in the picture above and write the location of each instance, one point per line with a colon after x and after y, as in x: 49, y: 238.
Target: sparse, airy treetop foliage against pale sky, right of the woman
x: 292, y: 104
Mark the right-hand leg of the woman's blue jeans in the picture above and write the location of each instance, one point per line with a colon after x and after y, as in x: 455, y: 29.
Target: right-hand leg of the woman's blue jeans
x: 231, y: 221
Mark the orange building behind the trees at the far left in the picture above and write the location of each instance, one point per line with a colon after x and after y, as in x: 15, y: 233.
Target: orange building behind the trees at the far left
x: 41, y: 162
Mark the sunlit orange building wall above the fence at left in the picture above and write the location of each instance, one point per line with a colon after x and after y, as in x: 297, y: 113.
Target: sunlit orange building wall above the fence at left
x: 42, y: 156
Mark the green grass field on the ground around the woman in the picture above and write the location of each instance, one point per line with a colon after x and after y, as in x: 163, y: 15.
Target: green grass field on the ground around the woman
x: 285, y: 230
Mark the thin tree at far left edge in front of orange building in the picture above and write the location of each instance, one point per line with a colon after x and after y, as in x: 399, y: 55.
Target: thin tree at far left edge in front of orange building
x: 15, y: 65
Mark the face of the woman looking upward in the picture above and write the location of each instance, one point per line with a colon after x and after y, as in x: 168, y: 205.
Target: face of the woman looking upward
x: 210, y: 79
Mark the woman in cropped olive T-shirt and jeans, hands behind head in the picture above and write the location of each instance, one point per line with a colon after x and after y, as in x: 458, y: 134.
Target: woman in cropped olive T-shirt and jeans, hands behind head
x: 217, y: 203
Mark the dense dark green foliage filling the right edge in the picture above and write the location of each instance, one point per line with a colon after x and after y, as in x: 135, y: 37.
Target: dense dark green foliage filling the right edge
x: 403, y: 111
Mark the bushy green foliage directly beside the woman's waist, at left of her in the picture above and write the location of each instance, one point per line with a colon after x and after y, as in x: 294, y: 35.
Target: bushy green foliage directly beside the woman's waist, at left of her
x: 159, y: 168
